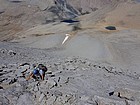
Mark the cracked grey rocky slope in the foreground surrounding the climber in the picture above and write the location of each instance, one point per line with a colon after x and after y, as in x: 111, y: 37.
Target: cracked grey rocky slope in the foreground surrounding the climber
x: 68, y: 81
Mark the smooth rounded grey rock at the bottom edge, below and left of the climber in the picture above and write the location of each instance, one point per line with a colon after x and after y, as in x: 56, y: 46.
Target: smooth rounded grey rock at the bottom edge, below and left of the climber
x: 25, y: 99
